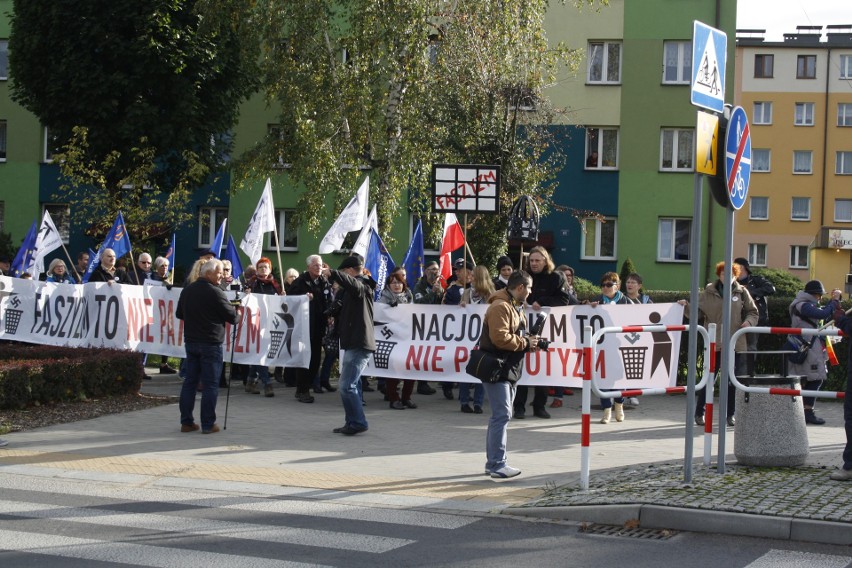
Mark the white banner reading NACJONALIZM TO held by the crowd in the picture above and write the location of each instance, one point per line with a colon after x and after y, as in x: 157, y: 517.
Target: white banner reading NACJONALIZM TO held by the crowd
x: 425, y: 342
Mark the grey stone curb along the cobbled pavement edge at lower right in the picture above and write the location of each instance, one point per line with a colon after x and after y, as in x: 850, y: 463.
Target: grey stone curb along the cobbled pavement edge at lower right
x: 697, y: 520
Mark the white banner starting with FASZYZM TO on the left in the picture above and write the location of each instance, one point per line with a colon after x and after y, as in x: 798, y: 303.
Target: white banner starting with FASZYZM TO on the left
x: 274, y: 330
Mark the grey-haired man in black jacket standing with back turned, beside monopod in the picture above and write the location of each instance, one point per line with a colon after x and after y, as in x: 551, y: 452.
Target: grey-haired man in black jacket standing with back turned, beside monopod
x: 204, y: 310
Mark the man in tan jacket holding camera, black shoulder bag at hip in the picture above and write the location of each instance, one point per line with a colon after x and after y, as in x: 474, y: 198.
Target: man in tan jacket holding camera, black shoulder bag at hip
x: 503, y: 334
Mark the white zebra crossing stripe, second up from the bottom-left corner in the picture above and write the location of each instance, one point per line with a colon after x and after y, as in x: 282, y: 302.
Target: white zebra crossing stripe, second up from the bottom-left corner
x: 205, y: 527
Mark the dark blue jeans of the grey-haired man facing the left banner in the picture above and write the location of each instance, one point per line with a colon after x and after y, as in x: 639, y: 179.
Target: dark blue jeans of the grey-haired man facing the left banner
x: 204, y: 364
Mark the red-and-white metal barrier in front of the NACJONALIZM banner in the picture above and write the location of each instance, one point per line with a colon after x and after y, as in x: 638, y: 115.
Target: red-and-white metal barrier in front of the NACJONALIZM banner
x: 590, y: 354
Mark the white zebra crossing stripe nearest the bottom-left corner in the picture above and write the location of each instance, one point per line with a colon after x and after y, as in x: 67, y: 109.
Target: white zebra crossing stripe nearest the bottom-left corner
x: 136, y: 554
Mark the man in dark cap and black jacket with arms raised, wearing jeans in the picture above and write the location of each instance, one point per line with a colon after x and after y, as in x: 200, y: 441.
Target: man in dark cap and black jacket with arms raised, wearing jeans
x: 357, y: 338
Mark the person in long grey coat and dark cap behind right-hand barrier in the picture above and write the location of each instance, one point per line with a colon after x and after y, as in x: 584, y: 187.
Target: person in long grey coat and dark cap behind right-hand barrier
x: 805, y: 312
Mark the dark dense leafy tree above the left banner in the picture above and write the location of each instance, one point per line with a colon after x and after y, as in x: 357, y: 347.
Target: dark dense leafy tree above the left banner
x: 139, y: 97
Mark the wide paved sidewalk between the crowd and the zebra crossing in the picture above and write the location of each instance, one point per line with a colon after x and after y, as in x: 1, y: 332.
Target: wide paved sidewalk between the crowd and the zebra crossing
x: 433, y: 457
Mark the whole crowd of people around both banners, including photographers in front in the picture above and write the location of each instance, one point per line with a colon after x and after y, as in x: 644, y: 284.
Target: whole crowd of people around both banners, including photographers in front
x: 341, y: 314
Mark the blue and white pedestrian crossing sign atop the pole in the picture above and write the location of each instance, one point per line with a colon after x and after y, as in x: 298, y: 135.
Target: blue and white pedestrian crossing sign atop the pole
x: 709, y: 58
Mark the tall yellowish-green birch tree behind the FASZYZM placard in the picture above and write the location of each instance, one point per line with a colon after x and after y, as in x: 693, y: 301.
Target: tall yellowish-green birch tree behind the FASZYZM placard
x: 393, y: 87
